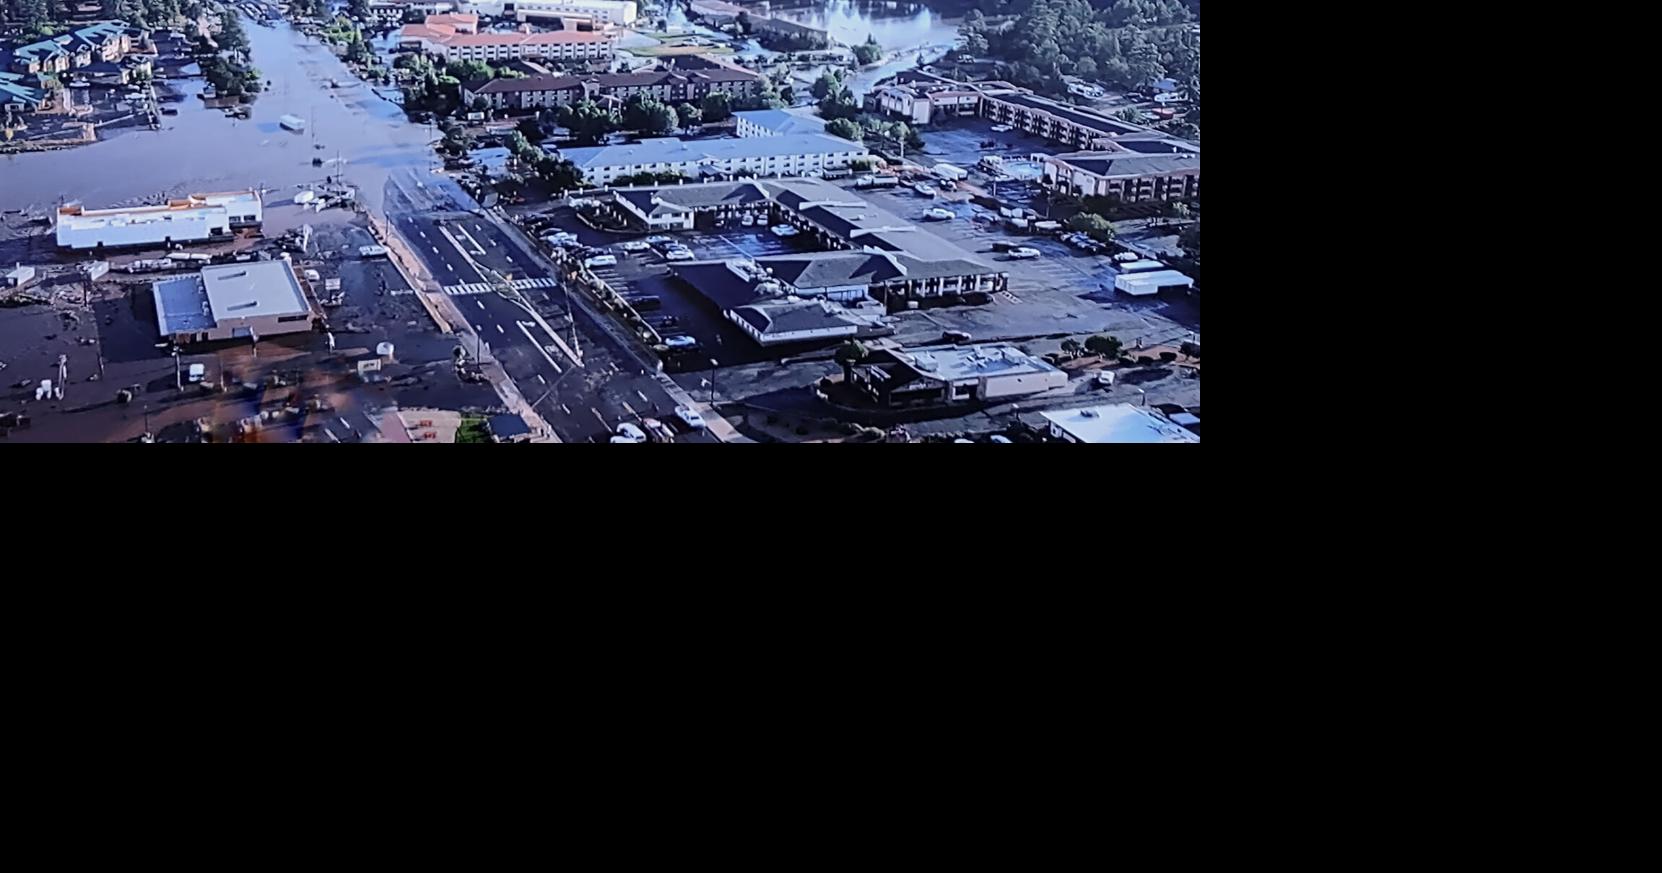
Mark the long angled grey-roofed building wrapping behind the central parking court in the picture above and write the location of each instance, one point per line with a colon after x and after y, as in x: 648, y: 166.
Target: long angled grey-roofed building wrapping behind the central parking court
x: 893, y: 259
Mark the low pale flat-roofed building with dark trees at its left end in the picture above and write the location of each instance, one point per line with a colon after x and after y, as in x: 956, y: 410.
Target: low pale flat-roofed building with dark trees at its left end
x: 942, y: 377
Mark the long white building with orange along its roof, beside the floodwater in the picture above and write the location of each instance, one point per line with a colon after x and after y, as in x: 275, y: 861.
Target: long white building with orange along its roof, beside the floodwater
x: 197, y: 219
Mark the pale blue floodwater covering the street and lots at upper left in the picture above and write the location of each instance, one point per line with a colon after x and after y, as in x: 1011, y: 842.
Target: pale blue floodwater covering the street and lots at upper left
x: 202, y: 150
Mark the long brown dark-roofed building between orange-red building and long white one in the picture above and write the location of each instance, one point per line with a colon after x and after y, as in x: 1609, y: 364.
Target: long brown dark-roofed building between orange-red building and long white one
x: 669, y: 86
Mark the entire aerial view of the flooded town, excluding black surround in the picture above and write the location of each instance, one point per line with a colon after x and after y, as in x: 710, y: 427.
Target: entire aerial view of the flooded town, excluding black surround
x: 601, y: 222
